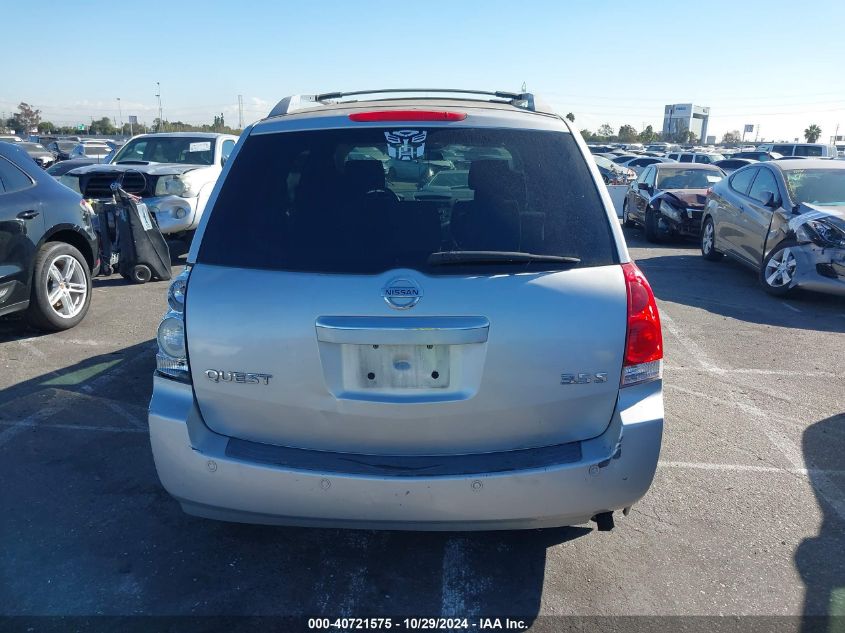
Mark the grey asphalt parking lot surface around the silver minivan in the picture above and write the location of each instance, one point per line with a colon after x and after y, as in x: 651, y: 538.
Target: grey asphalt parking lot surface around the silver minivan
x: 746, y: 515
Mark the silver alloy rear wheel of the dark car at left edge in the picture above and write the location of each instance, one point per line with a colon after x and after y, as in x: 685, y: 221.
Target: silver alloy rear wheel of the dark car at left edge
x: 61, y: 288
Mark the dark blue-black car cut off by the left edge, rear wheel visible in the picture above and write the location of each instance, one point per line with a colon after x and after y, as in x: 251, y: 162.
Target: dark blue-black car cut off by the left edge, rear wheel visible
x: 48, y: 246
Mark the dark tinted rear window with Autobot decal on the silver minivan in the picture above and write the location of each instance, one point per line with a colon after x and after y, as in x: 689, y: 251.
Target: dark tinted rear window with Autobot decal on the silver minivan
x: 367, y: 200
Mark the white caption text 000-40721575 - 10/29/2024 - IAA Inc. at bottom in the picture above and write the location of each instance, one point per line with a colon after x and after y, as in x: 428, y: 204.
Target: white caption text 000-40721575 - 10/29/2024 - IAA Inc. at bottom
x: 418, y: 624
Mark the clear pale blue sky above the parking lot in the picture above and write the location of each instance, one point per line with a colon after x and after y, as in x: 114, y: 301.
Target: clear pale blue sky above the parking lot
x: 776, y: 64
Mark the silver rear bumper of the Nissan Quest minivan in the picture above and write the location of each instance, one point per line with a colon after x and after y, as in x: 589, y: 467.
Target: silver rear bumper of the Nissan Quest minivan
x: 612, y: 471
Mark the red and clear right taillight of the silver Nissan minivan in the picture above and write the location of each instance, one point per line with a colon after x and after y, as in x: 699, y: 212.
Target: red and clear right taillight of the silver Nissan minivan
x: 644, y: 340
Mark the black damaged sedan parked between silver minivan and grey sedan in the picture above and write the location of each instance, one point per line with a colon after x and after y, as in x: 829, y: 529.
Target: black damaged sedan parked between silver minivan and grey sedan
x: 668, y: 199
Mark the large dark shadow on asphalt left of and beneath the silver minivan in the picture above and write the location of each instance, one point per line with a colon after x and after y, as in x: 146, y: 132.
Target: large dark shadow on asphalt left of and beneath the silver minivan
x: 88, y: 528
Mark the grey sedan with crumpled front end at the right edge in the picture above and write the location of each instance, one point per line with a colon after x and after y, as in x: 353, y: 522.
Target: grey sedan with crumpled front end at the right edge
x: 786, y: 220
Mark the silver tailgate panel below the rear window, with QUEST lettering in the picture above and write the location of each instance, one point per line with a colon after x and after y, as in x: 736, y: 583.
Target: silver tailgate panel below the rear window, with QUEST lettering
x: 479, y: 364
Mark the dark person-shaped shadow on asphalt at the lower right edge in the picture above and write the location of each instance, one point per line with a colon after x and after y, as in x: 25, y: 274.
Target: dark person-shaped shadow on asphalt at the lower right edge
x: 821, y: 559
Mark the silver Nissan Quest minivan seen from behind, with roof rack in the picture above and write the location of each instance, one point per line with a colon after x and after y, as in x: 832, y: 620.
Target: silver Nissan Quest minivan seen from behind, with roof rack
x: 341, y: 352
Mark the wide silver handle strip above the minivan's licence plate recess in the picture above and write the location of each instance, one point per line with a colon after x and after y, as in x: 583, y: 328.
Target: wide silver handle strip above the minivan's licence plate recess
x: 402, y: 330
